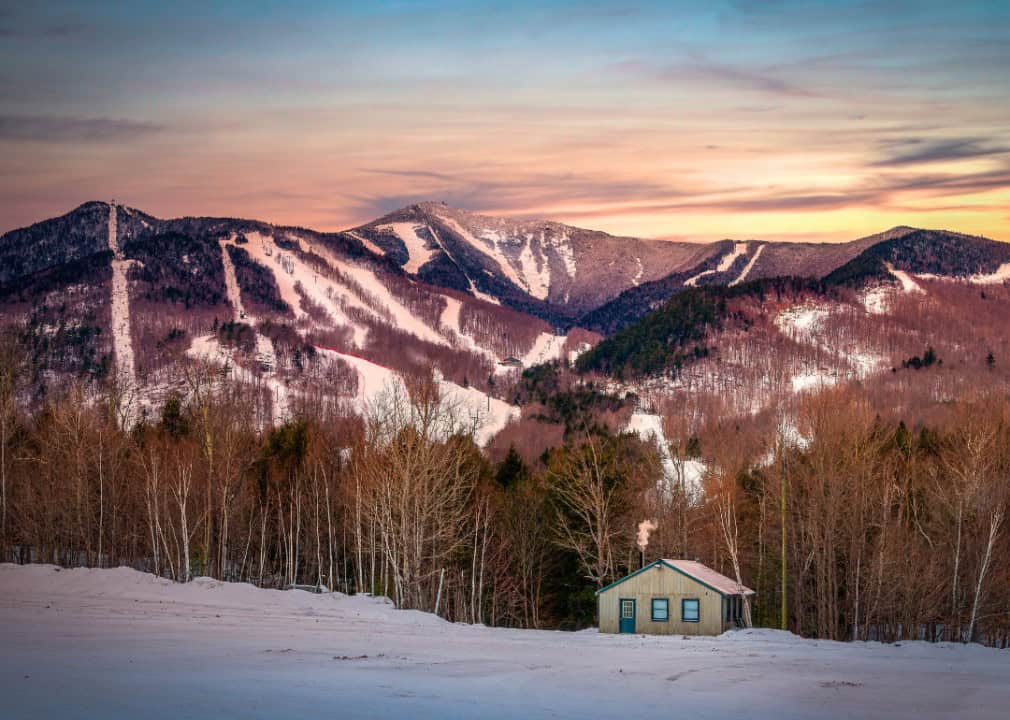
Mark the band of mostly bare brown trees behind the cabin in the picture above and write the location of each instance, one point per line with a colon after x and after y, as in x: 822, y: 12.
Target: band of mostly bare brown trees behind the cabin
x: 847, y: 525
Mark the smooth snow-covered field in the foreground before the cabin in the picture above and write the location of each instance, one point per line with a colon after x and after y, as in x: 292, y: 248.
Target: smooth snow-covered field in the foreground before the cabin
x: 117, y: 644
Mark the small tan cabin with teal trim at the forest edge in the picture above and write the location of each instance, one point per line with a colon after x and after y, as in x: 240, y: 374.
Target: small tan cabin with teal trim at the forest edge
x: 670, y: 597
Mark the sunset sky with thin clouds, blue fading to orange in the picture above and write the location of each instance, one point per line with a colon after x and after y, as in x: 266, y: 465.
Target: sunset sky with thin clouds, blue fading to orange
x: 767, y: 120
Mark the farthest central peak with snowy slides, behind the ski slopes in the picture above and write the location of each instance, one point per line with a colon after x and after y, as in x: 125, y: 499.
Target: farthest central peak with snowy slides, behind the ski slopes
x: 554, y: 271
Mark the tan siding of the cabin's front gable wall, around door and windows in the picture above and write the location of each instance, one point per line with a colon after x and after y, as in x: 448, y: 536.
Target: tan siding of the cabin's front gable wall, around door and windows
x: 662, y: 582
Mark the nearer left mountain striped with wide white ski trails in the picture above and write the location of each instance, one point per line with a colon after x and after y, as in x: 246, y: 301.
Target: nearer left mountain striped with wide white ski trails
x: 110, y: 291
